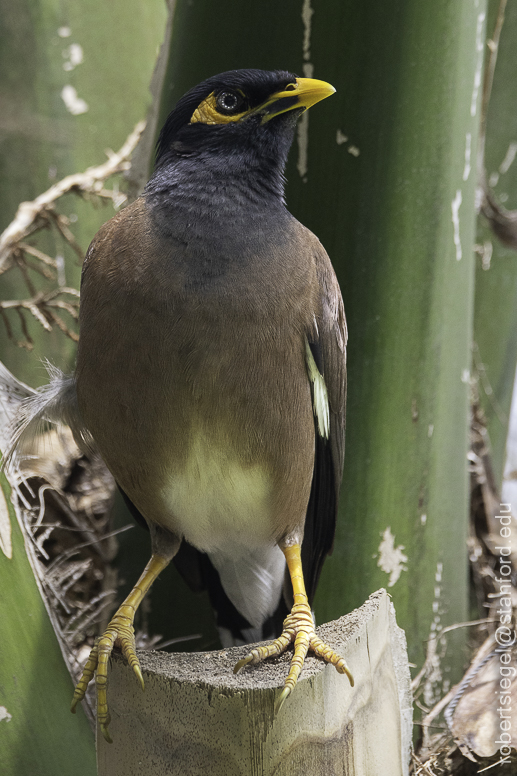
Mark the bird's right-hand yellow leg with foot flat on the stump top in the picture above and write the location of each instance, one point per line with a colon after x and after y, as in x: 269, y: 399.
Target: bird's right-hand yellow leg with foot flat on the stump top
x: 298, y: 627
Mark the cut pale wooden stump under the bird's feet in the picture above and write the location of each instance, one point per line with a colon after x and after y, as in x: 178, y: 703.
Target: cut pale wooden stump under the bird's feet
x: 196, y: 718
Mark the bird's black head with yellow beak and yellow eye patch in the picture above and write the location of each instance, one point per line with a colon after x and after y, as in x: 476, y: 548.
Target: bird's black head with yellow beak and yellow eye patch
x: 249, y: 114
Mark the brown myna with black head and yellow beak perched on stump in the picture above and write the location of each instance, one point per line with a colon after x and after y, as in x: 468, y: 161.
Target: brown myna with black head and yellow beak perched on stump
x: 211, y: 372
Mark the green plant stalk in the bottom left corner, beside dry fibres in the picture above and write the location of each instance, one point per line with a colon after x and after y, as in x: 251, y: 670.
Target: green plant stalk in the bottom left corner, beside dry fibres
x: 38, y: 733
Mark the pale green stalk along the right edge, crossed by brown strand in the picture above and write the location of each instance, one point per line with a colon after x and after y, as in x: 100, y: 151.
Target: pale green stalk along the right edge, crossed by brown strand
x: 495, y: 317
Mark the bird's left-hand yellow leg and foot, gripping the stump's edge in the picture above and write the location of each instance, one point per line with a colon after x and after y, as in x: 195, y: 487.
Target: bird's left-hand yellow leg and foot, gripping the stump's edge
x: 120, y: 633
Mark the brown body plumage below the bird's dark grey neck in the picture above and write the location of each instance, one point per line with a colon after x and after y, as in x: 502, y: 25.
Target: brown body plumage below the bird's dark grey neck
x: 227, y: 369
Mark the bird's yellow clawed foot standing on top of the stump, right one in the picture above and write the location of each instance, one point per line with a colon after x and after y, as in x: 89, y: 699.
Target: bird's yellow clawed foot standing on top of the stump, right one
x: 298, y: 627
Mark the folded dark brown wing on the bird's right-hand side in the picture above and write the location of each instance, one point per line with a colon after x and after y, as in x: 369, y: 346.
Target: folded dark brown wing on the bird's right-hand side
x: 328, y: 347
